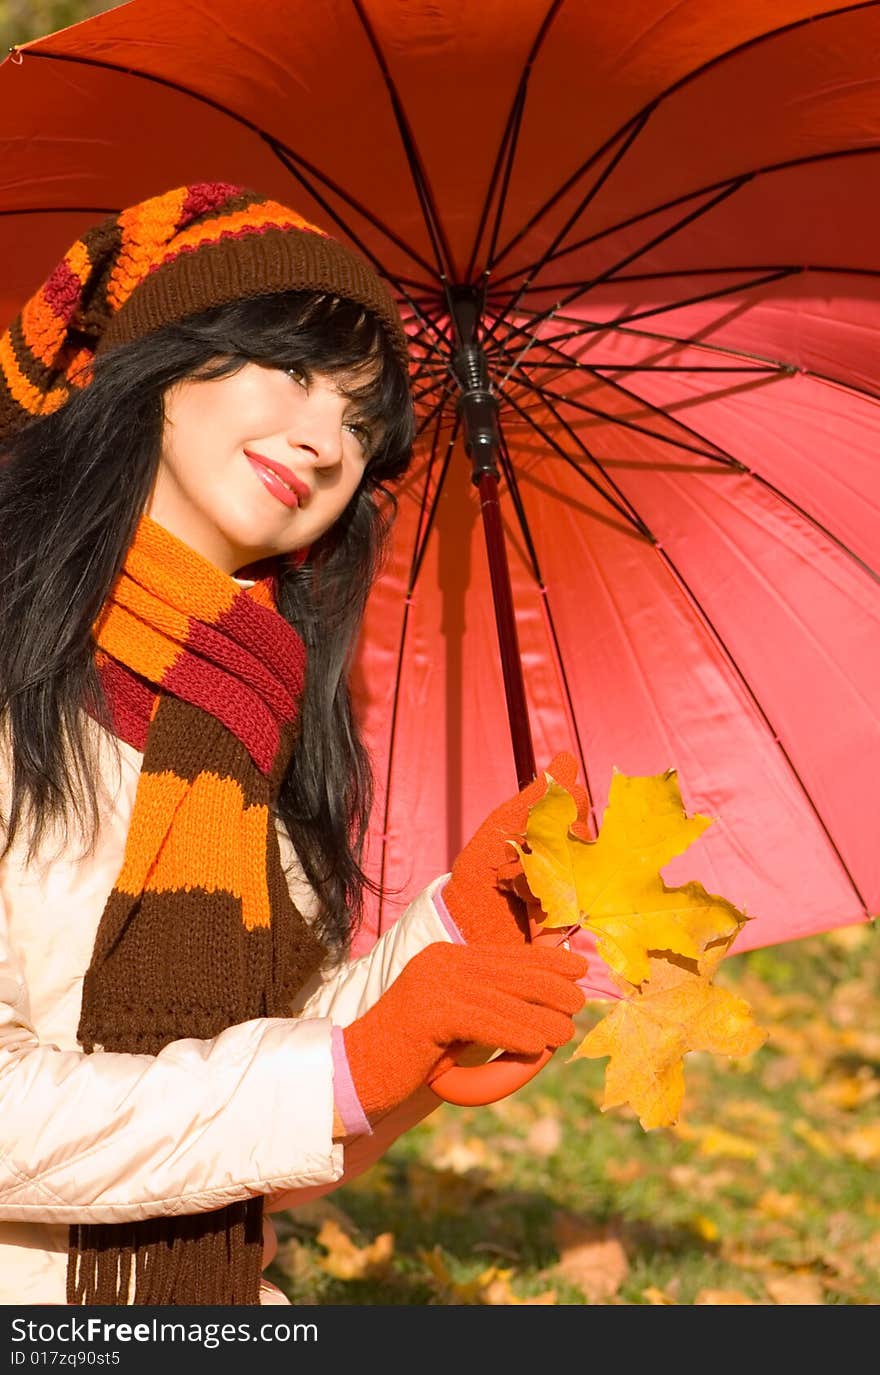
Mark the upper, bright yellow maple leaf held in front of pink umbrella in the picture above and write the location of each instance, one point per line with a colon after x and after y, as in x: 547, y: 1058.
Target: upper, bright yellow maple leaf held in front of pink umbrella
x: 613, y: 885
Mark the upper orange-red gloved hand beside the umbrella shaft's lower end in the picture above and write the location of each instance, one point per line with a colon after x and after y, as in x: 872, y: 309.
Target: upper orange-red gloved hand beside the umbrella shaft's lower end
x: 485, y: 914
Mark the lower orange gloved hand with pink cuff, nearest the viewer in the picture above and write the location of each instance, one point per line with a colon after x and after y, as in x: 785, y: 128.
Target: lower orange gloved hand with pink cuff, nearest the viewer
x: 516, y: 1000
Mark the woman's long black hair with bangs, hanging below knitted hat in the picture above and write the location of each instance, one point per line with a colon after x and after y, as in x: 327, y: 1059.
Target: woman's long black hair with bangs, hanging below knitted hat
x: 74, y: 486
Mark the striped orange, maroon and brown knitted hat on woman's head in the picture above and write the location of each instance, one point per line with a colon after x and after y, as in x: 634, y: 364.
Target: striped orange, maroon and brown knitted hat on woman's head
x: 171, y: 256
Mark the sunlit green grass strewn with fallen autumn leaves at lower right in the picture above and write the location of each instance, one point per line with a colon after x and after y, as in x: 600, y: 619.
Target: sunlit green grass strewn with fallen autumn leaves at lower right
x: 767, y: 1190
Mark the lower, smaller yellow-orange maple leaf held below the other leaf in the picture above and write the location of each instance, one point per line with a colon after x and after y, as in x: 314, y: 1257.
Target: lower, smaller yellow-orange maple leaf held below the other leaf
x: 648, y: 1035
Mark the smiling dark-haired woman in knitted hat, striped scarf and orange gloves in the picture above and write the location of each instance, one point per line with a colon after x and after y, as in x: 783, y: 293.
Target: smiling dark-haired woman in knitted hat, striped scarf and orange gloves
x: 199, y: 409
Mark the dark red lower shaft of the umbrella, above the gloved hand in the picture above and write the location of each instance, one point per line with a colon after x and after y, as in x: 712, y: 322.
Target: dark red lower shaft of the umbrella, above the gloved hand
x: 505, y: 621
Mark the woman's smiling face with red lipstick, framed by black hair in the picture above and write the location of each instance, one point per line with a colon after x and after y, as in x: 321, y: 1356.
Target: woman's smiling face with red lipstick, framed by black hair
x: 256, y: 464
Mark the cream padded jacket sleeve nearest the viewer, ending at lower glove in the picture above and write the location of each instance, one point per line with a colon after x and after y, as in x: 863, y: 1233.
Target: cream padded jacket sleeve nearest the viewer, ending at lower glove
x: 111, y: 1138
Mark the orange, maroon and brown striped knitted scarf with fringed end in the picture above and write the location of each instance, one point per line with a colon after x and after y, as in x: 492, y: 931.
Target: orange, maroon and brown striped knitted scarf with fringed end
x: 200, y: 932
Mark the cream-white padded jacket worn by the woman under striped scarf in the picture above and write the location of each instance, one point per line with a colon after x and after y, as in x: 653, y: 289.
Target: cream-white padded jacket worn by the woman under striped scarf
x: 111, y: 1138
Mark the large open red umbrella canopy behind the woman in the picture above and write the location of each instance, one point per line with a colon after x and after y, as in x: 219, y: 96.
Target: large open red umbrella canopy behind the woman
x: 644, y: 239
